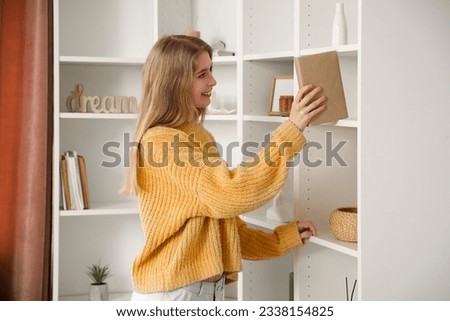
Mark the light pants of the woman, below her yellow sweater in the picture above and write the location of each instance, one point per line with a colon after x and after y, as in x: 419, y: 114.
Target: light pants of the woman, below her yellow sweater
x: 199, y: 291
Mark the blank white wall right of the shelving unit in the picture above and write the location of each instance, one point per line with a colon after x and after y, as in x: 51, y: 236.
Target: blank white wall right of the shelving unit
x: 405, y: 150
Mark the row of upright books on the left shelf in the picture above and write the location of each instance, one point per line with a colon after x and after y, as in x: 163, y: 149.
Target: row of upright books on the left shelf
x: 74, y: 185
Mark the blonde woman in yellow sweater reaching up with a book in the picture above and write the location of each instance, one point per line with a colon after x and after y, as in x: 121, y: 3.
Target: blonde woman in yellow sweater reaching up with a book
x: 190, y: 201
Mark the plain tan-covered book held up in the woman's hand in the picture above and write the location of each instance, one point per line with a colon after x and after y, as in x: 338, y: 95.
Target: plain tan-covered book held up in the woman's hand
x: 323, y: 70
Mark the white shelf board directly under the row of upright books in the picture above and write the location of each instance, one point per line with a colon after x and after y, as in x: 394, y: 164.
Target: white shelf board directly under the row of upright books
x: 105, y: 208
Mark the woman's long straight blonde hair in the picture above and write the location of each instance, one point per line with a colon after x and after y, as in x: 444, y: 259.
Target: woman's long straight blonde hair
x: 166, y: 93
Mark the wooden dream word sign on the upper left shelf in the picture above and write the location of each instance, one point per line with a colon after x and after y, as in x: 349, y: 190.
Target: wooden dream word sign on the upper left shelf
x: 76, y: 102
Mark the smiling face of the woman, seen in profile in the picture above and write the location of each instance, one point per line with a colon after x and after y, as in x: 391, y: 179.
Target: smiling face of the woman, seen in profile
x: 204, y: 81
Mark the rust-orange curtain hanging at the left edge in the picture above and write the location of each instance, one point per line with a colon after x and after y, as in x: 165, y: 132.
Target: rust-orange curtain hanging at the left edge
x: 25, y: 148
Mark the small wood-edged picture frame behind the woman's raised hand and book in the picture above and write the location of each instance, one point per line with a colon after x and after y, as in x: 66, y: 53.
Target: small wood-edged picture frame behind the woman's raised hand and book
x: 281, y: 92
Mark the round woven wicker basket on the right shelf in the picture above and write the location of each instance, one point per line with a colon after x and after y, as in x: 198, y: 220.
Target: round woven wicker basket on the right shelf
x: 343, y: 223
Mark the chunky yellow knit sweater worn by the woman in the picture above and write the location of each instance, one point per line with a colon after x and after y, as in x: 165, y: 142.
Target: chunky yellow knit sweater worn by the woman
x: 190, y: 203
